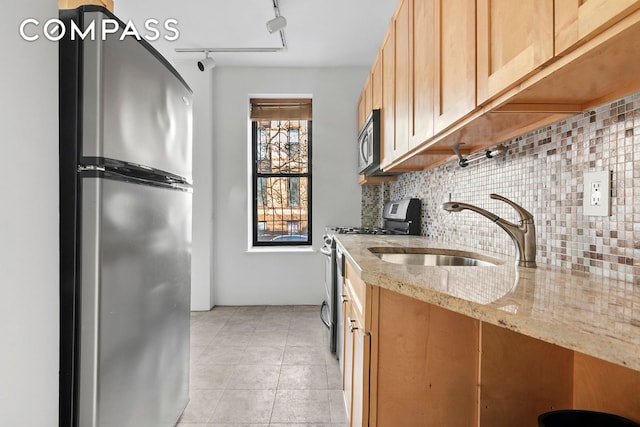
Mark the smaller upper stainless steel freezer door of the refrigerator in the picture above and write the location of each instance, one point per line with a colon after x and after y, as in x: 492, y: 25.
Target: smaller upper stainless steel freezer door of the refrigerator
x: 134, y: 107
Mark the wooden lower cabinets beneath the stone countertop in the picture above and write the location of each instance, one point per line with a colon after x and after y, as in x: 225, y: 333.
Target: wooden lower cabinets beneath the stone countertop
x: 410, y: 363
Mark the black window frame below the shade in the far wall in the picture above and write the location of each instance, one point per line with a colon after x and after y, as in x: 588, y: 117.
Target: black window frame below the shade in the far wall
x: 256, y: 175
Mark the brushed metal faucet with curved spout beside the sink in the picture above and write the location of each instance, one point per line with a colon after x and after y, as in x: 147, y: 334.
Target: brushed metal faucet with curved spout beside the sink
x: 523, y: 235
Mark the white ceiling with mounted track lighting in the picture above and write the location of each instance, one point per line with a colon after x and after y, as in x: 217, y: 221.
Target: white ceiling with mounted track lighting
x: 319, y: 33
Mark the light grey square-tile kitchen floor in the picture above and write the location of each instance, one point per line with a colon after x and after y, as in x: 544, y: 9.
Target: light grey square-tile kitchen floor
x: 262, y: 366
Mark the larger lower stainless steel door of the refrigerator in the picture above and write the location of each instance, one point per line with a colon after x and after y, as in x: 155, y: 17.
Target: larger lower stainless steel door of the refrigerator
x: 135, y: 304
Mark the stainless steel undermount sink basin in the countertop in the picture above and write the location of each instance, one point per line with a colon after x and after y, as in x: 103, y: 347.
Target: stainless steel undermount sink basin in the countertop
x: 432, y: 257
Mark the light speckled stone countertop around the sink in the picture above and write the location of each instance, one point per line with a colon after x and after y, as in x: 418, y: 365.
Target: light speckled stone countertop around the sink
x: 596, y: 316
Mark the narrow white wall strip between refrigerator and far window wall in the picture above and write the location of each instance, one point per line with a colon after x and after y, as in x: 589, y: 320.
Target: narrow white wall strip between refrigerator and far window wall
x: 202, y: 262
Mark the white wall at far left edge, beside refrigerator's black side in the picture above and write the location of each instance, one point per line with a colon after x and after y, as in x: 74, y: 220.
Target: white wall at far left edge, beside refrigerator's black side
x: 29, y: 308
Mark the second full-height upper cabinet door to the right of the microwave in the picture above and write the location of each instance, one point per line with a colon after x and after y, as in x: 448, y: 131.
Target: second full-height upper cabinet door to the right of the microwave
x: 403, y: 78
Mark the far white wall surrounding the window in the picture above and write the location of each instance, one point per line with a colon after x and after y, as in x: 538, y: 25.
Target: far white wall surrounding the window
x: 281, y: 278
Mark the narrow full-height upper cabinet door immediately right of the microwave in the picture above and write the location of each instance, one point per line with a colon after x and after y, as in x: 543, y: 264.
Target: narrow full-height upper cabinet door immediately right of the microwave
x: 388, y: 97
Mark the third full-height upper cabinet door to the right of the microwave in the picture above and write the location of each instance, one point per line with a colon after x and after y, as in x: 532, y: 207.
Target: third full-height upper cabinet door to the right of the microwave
x: 421, y: 119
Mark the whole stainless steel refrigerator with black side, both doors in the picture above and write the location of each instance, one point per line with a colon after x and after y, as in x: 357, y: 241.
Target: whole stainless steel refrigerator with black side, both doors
x: 125, y: 230
